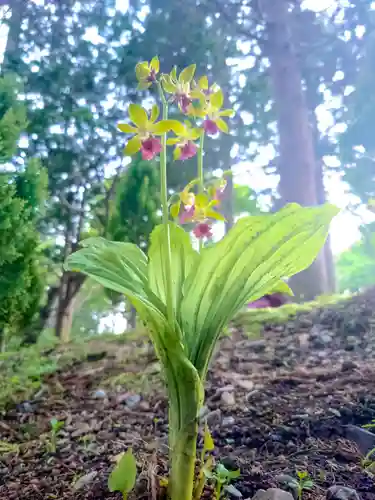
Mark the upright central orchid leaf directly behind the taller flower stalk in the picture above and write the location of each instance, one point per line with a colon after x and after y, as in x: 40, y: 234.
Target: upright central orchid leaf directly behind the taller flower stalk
x: 183, y: 259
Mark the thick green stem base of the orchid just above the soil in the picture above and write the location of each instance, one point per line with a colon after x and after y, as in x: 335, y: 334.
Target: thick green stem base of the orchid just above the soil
x: 183, y: 457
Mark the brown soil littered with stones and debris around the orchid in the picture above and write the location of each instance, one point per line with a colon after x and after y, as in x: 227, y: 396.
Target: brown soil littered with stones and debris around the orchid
x: 275, y: 405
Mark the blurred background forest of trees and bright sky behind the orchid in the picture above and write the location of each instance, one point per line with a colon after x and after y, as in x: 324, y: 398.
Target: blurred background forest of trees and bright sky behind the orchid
x: 301, y: 76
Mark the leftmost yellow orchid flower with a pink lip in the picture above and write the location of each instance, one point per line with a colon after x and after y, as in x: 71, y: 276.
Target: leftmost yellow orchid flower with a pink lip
x: 146, y: 131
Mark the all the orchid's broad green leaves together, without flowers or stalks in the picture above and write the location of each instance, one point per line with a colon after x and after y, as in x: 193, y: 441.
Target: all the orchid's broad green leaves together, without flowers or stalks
x: 208, y: 289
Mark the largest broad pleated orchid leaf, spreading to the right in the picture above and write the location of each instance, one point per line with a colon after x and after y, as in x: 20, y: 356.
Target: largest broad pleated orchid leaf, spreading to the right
x: 246, y: 264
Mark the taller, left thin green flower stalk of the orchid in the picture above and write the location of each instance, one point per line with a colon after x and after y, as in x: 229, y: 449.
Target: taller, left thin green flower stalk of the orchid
x: 164, y: 202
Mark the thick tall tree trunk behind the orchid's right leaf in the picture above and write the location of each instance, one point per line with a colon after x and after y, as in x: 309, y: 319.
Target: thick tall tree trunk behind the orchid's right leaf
x: 297, y: 163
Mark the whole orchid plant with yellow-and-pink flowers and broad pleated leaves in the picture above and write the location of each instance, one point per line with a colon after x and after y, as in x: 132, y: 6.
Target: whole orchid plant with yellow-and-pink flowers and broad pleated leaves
x: 186, y: 296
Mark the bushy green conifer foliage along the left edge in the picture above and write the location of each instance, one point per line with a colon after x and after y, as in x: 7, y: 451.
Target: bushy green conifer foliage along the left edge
x: 20, y: 200
